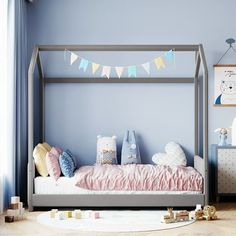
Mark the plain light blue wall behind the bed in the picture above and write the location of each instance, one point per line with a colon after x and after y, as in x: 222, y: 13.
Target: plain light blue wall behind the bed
x: 75, y: 114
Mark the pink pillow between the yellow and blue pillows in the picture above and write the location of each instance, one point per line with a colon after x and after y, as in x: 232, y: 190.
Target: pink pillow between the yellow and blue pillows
x: 52, y: 162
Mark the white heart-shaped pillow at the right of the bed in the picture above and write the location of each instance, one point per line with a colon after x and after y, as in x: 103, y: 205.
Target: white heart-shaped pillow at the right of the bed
x: 174, y: 156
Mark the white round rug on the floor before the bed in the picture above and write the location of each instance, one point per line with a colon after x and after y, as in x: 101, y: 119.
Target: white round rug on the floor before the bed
x: 114, y: 221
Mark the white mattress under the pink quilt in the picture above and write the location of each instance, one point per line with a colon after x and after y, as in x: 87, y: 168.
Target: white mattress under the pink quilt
x: 64, y: 185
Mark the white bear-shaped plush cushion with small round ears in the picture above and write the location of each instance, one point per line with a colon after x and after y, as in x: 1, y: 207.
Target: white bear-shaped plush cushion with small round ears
x: 106, y: 150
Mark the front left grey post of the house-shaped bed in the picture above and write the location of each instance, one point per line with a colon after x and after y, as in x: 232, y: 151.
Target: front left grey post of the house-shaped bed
x: 30, y: 168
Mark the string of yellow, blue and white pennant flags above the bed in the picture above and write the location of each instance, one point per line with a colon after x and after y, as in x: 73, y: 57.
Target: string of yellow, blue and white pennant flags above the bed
x: 132, y: 69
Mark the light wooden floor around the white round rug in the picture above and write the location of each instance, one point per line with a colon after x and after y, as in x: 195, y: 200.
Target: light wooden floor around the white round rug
x: 225, y: 225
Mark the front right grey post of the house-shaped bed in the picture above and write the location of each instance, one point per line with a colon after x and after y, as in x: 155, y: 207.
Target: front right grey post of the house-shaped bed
x: 205, y: 121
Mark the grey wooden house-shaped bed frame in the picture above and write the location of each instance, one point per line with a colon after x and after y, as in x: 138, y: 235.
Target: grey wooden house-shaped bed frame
x: 159, y: 200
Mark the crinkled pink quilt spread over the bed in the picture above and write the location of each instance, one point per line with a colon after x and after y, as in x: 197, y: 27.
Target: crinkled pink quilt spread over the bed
x: 139, y: 178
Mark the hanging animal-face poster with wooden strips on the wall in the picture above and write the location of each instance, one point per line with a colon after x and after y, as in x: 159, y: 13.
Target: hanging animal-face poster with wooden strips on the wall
x: 225, y: 85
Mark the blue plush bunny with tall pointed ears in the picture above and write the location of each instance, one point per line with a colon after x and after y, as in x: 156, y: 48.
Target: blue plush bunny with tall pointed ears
x: 130, y: 151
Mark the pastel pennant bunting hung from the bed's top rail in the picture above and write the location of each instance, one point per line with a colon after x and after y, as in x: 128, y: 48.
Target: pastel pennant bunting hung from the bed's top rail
x: 160, y: 62
